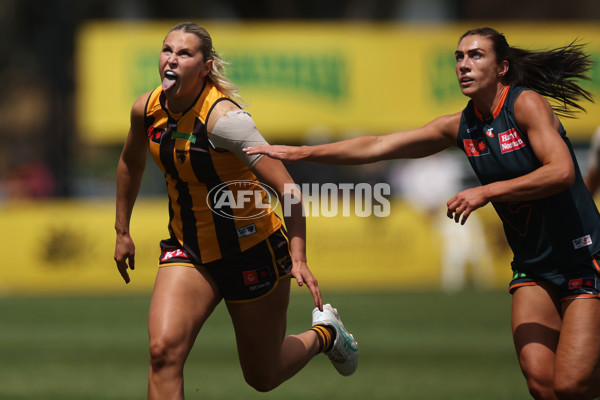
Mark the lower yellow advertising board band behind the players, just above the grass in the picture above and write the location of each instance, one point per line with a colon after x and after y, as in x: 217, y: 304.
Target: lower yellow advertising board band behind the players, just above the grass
x: 67, y: 247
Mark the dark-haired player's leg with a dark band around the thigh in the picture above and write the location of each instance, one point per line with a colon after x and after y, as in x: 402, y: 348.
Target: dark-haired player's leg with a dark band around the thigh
x: 536, y: 323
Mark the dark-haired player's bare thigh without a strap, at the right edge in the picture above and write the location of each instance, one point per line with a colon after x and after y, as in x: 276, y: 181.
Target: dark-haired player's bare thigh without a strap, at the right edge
x: 577, y: 365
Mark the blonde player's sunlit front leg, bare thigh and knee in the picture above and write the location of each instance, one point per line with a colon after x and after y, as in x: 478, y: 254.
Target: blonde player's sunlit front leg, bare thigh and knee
x: 182, y: 300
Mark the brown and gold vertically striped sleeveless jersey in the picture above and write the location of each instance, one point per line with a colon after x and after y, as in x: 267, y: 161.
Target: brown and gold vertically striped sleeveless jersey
x: 193, y: 169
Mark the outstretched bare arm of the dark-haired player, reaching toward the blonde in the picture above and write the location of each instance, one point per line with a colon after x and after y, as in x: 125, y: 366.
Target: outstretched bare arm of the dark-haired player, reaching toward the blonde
x: 437, y: 135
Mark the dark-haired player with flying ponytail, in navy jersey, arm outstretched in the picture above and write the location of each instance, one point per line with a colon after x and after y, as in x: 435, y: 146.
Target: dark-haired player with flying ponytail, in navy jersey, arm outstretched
x: 518, y: 148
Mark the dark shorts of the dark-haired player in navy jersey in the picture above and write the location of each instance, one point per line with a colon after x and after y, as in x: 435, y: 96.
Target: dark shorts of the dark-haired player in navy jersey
x: 581, y: 281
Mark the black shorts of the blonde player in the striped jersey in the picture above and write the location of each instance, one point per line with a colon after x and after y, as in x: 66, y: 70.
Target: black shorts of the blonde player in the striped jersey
x: 248, y: 276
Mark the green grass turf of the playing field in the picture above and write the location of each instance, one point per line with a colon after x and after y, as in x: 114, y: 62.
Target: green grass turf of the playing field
x: 413, y: 346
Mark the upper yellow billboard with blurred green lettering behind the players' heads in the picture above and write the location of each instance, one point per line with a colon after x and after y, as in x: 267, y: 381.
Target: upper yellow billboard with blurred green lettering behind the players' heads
x: 298, y: 79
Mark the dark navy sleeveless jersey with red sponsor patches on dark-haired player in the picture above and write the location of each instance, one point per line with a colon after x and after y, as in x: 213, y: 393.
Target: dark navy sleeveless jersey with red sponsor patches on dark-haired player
x: 545, y: 234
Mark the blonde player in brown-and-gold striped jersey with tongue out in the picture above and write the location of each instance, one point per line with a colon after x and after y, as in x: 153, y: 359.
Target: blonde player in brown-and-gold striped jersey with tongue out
x: 238, y: 252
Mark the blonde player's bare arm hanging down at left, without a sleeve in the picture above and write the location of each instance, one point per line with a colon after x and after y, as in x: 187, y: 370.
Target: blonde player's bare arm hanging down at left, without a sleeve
x: 129, y: 177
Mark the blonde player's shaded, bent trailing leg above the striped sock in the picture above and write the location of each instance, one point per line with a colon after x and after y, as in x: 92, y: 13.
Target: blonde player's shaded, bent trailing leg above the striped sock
x: 267, y: 356
